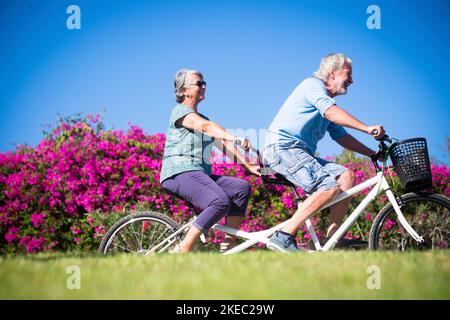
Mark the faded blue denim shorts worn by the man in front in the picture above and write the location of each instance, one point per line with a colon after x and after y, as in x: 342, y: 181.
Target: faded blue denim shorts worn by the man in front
x: 301, y: 168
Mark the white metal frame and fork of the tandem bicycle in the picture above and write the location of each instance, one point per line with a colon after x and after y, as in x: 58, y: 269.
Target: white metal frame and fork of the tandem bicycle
x: 380, y: 185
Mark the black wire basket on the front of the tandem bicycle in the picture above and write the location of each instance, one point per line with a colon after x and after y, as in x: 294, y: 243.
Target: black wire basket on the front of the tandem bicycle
x: 412, y: 164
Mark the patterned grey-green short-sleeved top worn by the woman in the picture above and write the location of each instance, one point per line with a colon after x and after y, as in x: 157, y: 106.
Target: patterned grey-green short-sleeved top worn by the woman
x: 185, y: 150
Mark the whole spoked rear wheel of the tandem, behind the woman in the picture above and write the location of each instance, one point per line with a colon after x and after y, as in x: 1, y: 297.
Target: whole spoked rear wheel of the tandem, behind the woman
x: 139, y: 233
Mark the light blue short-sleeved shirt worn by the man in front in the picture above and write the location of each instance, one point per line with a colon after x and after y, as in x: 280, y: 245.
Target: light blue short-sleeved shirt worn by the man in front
x: 302, y: 117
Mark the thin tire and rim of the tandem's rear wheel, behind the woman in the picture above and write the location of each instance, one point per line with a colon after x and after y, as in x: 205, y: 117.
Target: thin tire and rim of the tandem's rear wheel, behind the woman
x: 146, y: 217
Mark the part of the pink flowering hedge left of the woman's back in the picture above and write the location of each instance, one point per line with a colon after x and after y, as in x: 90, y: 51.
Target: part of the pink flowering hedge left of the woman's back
x: 47, y: 193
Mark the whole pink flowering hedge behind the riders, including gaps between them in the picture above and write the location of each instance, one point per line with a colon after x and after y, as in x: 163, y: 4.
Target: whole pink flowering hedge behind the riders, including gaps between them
x: 68, y: 190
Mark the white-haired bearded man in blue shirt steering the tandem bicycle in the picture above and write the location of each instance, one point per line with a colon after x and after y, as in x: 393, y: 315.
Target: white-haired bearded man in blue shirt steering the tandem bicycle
x: 292, y: 140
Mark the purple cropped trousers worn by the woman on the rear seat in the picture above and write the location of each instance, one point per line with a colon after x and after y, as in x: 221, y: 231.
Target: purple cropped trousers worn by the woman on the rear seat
x: 216, y: 196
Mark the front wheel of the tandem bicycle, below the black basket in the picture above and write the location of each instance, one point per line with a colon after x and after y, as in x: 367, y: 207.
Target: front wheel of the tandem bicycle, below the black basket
x: 428, y: 215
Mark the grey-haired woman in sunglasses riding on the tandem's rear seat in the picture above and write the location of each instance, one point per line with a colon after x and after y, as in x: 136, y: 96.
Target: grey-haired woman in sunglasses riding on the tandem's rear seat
x: 186, y: 167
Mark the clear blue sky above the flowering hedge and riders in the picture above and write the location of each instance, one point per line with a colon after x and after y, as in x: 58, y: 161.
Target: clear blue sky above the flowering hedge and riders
x: 252, y: 53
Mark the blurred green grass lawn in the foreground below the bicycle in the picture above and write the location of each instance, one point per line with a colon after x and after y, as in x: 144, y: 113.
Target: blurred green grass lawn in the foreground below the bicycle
x: 250, y: 275
